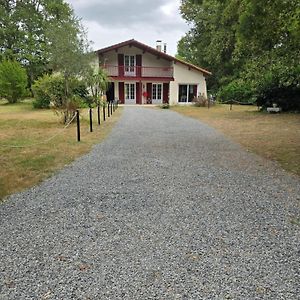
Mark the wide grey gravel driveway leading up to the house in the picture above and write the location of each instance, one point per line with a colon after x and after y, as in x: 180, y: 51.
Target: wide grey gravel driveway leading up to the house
x: 164, y: 208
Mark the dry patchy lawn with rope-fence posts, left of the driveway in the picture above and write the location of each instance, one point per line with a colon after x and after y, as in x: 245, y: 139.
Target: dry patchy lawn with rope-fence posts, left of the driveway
x: 22, y: 125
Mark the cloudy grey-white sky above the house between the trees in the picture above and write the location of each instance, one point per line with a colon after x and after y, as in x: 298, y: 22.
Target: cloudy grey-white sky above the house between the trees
x: 113, y: 21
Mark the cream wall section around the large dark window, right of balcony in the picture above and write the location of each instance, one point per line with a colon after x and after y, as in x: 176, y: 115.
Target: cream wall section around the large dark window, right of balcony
x: 182, y: 75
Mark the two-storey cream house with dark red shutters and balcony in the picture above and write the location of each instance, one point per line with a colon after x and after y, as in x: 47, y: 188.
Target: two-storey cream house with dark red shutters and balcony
x: 140, y: 74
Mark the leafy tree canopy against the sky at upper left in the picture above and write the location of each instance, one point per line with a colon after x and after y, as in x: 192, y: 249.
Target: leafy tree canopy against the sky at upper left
x: 42, y: 35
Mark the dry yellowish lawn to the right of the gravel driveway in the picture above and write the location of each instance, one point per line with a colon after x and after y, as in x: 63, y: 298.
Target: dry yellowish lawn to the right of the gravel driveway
x: 273, y: 136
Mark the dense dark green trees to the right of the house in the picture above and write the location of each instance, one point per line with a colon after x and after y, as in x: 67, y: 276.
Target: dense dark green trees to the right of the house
x: 250, y: 46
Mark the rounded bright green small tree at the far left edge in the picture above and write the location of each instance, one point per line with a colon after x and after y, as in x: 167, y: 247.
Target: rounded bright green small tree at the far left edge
x: 13, y: 81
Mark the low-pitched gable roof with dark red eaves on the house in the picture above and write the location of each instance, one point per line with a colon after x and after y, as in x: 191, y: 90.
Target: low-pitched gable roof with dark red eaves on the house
x: 153, y: 51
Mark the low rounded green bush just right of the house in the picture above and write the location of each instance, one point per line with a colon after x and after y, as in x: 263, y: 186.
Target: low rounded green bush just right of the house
x: 237, y: 90
